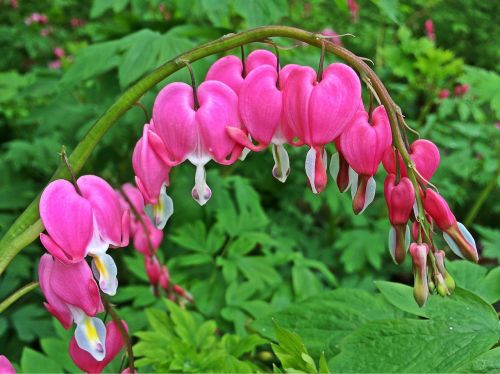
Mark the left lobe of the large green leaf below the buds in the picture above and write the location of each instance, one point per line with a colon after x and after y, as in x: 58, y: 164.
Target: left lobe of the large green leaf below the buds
x: 323, y: 320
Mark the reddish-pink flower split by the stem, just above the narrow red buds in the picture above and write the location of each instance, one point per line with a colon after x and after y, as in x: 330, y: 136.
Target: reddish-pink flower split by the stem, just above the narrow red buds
x: 424, y: 154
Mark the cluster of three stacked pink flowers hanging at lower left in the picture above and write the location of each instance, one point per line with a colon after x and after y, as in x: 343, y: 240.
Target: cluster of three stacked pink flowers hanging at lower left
x: 84, y: 219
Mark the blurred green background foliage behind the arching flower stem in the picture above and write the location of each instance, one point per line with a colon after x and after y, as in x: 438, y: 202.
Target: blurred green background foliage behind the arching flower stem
x: 258, y: 247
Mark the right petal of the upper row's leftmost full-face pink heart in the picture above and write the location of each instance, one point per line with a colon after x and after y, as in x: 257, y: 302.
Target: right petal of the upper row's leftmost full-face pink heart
x: 218, y: 110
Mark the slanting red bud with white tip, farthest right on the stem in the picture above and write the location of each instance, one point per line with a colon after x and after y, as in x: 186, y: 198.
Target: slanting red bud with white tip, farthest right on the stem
x: 455, y: 233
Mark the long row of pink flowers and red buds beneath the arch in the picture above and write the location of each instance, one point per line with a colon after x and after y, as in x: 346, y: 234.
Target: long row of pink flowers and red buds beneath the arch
x: 249, y: 105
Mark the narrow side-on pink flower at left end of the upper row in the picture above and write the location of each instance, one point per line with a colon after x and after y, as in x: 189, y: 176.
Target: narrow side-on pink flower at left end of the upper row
x: 152, y: 179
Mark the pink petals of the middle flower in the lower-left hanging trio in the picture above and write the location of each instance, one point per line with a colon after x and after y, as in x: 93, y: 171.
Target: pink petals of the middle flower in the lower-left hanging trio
x: 75, y: 285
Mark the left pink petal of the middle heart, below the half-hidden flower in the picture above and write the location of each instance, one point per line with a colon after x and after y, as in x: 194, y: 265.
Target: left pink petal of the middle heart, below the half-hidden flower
x: 260, y: 104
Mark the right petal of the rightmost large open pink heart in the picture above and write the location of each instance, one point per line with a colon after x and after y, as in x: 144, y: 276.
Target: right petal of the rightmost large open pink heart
x: 333, y: 103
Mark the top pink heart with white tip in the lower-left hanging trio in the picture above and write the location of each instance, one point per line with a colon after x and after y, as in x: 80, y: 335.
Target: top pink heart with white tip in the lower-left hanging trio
x: 89, y: 223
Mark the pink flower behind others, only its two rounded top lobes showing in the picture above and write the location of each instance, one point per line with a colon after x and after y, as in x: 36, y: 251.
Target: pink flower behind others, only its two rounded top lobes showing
x: 229, y: 69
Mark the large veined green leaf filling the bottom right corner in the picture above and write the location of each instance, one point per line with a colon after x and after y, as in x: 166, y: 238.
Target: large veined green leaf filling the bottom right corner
x: 460, y: 328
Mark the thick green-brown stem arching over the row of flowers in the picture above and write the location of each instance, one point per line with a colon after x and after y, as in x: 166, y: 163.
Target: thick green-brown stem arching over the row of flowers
x: 27, y: 226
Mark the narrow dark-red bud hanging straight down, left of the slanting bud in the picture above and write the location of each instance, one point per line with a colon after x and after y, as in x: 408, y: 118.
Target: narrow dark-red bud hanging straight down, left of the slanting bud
x: 399, y: 198
